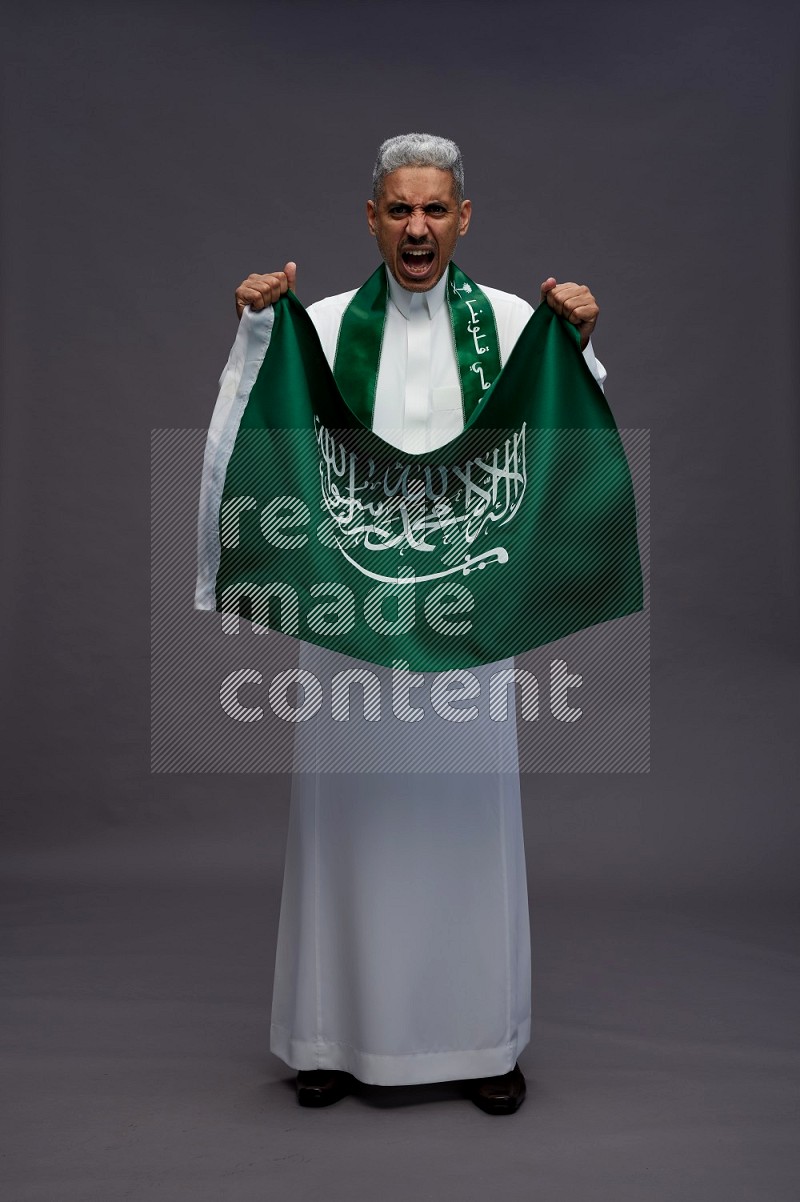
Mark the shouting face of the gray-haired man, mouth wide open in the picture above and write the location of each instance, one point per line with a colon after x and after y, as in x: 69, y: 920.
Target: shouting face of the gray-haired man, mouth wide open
x: 417, y: 223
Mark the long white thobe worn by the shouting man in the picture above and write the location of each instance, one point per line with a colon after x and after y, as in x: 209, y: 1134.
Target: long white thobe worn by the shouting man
x: 404, y: 945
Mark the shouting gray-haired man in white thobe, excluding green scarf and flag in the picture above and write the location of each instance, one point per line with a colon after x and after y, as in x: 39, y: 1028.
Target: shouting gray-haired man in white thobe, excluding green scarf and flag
x: 404, y: 942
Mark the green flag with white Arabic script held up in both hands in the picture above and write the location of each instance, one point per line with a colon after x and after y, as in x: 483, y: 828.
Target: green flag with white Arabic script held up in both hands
x: 516, y: 533
